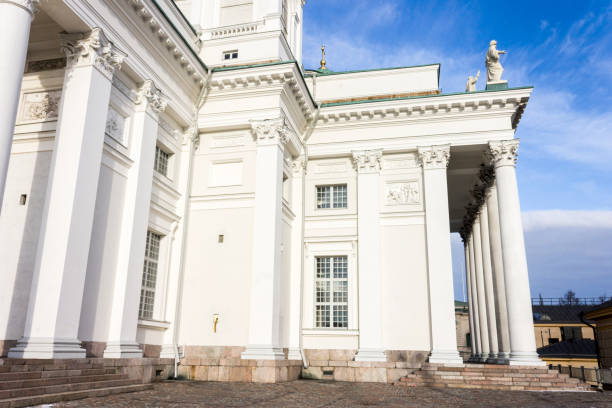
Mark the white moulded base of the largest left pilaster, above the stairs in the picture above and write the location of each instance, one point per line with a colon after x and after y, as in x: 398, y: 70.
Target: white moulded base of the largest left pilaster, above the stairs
x: 47, y: 348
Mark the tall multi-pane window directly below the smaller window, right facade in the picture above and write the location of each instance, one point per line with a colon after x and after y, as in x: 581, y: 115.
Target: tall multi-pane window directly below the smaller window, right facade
x: 331, y: 287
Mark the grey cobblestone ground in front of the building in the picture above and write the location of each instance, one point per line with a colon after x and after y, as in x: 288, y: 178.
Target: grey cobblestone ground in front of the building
x: 335, y: 394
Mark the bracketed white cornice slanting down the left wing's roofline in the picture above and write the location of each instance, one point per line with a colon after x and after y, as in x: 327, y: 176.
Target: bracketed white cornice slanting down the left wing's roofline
x: 174, y: 48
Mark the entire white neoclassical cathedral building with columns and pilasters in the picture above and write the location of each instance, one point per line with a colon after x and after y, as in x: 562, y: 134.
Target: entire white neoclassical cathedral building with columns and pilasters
x: 174, y: 183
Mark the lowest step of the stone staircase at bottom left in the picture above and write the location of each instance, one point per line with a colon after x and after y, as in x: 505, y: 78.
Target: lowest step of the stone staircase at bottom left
x: 28, y: 401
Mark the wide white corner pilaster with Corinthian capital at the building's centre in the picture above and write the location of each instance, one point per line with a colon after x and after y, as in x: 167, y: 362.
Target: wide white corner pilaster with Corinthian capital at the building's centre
x: 264, y: 325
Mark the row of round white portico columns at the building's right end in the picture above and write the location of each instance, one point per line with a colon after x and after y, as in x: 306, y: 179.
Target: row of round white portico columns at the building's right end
x: 499, y: 299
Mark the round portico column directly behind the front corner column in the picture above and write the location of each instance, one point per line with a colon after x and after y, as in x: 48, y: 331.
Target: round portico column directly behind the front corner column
x: 498, y: 275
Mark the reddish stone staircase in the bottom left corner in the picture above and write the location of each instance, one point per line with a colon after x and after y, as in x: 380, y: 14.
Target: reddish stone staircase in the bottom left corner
x: 26, y: 383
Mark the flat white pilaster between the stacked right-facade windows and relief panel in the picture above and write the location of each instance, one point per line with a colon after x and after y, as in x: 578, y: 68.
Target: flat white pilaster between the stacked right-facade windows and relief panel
x: 367, y: 163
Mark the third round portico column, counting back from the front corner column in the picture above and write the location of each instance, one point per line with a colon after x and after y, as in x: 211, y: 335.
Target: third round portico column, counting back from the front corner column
x: 488, y: 283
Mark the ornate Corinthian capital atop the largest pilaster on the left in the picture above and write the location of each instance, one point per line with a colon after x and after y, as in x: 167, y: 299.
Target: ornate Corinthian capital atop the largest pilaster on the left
x: 92, y: 48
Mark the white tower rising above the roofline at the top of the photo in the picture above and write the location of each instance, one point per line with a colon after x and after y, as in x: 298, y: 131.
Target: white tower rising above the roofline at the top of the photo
x: 239, y: 32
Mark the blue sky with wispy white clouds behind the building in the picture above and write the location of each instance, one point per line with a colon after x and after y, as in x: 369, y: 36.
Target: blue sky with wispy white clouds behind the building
x: 564, y: 49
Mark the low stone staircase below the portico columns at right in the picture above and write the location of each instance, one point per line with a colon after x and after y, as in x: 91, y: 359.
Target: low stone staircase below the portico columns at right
x: 492, y: 377
